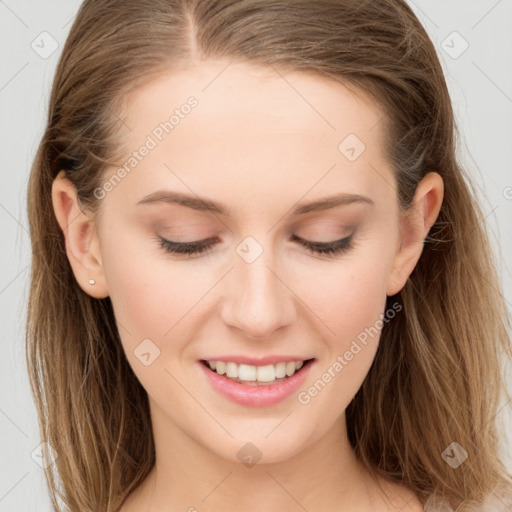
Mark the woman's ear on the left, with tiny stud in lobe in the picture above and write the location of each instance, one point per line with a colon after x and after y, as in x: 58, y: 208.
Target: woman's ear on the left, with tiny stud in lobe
x: 81, y: 238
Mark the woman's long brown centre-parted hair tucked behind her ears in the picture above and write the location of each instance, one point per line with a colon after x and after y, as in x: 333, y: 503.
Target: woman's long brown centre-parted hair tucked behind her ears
x: 436, y: 376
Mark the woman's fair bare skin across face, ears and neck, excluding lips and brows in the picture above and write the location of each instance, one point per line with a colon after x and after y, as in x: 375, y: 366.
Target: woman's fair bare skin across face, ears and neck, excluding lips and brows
x: 260, y: 147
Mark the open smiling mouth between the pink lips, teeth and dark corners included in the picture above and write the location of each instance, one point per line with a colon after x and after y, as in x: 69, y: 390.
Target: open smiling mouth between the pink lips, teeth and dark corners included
x: 262, y: 375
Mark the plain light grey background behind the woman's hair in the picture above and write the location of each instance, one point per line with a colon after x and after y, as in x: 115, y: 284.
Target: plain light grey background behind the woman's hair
x: 480, y: 82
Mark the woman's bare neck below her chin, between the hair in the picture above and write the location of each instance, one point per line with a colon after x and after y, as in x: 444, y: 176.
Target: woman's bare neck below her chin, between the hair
x: 325, y: 475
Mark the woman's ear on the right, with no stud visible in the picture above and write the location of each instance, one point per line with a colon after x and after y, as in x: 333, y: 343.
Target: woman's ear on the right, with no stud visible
x: 415, y: 224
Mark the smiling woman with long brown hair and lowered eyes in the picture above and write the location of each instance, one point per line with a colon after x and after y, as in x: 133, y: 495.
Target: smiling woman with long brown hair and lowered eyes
x: 260, y: 279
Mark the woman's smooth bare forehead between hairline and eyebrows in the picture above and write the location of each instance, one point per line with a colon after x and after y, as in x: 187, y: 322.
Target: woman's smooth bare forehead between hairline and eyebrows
x: 253, y: 130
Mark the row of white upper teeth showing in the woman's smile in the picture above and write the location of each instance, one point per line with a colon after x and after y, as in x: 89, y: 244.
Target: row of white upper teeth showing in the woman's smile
x: 249, y: 373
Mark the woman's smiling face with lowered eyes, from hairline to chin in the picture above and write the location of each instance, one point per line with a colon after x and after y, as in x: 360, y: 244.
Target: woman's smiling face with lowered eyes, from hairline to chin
x: 240, y: 175
